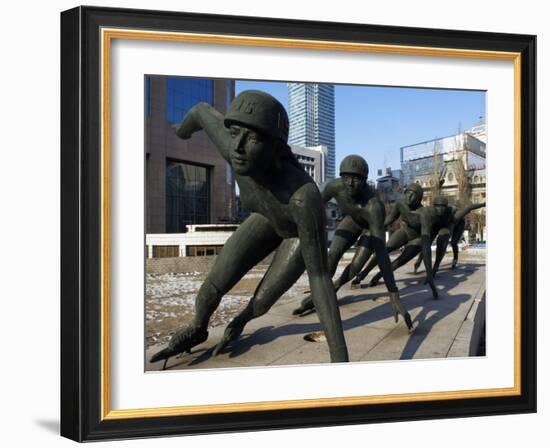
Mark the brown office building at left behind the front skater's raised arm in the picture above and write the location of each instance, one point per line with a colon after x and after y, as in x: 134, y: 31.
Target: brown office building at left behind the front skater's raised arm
x: 187, y: 181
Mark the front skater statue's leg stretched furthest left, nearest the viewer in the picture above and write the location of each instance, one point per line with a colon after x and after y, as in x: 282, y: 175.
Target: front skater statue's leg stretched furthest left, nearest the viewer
x: 253, y: 240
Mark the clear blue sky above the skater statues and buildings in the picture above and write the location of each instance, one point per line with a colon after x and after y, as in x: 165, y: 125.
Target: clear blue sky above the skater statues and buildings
x: 376, y: 121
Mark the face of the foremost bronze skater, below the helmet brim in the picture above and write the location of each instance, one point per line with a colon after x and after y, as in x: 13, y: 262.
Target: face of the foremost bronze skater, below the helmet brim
x: 252, y: 152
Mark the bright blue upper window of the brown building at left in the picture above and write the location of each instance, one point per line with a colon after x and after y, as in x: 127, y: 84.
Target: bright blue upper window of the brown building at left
x: 183, y: 93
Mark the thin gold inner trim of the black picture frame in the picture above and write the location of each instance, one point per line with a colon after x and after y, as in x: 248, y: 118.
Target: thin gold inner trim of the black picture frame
x: 107, y: 34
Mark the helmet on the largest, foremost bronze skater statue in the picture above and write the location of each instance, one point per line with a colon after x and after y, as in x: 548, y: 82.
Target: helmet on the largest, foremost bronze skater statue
x: 260, y: 111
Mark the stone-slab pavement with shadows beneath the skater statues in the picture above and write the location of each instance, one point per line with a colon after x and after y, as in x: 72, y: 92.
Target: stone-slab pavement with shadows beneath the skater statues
x: 449, y: 327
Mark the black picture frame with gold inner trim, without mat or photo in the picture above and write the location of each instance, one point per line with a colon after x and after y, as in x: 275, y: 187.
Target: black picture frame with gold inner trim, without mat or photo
x: 86, y: 37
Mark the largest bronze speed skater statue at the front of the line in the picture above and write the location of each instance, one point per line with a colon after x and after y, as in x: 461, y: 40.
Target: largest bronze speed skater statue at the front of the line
x: 287, y: 216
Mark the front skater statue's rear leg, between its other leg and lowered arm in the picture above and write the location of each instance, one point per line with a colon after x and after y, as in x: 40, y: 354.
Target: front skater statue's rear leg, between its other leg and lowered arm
x: 285, y: 269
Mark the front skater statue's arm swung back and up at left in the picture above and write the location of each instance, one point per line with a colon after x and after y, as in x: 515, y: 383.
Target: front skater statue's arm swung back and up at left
x: 202, y: 116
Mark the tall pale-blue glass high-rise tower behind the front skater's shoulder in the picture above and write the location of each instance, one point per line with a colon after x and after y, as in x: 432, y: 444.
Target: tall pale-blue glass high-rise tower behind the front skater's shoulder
x: 311, y: 115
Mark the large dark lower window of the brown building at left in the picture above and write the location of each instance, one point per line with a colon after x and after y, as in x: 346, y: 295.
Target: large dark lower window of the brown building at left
x: 187, y: 196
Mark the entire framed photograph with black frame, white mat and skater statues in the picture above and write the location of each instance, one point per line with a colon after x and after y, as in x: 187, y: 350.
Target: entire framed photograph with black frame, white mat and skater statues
x: 218, y: 171
